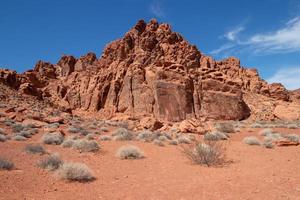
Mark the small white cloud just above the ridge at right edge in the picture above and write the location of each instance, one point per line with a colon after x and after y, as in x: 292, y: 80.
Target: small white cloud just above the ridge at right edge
x: 289, y: 77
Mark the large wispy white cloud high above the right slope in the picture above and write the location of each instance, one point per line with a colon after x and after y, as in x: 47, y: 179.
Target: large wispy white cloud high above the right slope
x: 284, y: 40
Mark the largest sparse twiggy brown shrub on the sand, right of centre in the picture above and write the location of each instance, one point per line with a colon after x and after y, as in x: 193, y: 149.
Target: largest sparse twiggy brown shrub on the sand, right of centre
x: 210, y: 153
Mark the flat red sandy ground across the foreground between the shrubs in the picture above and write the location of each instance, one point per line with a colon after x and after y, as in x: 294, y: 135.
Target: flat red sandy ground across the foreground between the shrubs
x: 165, y: 173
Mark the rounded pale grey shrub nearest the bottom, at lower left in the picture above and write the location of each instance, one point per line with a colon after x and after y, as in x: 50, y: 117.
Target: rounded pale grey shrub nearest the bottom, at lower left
x: 75, y: 172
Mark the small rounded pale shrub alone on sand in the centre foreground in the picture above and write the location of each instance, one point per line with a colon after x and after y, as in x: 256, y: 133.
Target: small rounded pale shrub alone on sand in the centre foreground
x: 129, y: 152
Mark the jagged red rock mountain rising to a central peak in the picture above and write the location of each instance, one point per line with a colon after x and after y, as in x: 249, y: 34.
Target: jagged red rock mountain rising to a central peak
x: 154, y: 72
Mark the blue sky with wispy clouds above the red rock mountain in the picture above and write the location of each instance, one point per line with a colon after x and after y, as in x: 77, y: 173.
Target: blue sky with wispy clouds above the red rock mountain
x: 264, y: 34
